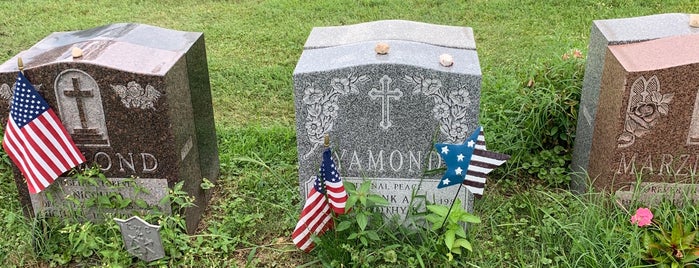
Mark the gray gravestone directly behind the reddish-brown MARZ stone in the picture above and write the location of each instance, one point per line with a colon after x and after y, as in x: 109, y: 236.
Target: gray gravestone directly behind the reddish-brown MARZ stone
x: 603, y: 34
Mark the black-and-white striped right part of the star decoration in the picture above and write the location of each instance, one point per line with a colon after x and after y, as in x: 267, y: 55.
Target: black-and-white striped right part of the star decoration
x: 482, y: 163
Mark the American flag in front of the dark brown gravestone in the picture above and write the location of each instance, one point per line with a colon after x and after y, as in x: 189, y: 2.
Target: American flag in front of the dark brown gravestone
x: 35, y: 139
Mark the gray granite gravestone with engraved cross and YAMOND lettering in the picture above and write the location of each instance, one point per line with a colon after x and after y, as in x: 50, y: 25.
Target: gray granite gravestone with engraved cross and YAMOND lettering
x: 380, y: 92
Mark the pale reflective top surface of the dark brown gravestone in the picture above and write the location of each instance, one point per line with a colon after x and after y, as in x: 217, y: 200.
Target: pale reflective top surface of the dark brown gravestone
x: 134, y: 48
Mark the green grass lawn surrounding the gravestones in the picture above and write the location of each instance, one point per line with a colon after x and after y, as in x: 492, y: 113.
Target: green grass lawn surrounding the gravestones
x: 528, y: 217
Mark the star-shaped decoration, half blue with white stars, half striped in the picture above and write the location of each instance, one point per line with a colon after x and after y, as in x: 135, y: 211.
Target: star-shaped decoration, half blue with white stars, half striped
x: 469, y: 163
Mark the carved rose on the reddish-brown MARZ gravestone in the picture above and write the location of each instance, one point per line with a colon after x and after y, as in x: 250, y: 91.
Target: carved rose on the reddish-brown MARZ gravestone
x: 646, y: 105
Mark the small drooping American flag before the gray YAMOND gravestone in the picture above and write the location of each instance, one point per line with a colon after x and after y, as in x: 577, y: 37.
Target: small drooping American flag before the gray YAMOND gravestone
x: 316, y: 216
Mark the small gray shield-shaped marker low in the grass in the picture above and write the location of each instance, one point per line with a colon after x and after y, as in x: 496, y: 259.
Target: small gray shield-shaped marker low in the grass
x: 141, y: 239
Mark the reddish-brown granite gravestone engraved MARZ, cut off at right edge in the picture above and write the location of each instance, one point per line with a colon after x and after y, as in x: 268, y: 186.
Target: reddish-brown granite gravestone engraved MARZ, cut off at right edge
x: 647, y: 122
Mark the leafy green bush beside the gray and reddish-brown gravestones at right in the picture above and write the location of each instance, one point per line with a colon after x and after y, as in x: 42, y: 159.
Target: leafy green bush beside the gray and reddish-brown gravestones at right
x: 544, y: 108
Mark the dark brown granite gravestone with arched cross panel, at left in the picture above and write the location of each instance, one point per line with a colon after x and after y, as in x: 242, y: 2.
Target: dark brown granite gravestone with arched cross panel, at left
x: 136, y: 101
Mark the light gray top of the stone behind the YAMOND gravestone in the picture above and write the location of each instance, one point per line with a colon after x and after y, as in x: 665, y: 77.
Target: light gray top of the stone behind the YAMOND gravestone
x: 438, y: 35
